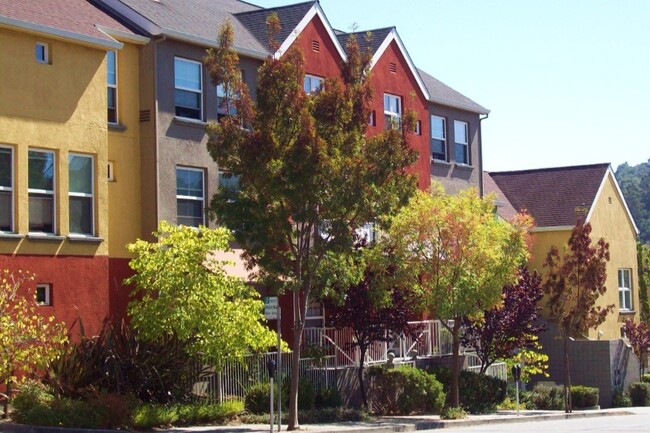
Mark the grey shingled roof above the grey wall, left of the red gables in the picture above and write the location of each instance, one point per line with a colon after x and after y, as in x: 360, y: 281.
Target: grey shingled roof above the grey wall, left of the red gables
x: 194, y: 21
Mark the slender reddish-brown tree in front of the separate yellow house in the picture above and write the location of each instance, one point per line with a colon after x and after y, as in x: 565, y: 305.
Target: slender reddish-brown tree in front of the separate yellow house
x: 575, y: 279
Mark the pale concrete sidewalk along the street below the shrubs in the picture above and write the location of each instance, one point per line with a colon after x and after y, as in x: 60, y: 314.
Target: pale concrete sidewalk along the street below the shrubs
x: 411, y: 423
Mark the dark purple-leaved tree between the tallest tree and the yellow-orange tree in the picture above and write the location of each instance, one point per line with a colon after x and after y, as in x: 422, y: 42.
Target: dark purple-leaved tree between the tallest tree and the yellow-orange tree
x: 373, y: 314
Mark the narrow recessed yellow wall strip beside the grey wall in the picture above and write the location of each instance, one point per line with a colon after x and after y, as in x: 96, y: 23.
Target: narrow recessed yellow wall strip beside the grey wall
x: 124, y: 153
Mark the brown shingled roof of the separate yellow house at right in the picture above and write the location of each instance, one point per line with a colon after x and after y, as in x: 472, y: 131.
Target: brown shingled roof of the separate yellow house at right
x: 555, y: 197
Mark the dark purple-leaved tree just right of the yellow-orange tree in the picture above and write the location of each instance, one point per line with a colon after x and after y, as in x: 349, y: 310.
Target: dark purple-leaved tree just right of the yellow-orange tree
x: 509, y: 326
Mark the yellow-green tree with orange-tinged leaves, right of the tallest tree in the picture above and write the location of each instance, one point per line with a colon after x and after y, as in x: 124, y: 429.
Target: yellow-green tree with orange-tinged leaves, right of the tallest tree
x: 459, y: 255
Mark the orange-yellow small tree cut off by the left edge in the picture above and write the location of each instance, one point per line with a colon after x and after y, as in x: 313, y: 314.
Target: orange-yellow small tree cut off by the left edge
x: 28, y: 341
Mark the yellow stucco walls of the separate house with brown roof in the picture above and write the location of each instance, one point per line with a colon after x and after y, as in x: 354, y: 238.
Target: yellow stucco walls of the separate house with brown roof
x: 610, y: 222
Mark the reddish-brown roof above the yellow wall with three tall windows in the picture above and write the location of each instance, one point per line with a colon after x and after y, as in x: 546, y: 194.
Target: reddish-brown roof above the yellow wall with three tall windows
x: 76, y: 20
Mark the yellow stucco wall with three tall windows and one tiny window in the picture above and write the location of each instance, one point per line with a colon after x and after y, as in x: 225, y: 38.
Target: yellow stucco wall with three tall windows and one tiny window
x: 60, y: 107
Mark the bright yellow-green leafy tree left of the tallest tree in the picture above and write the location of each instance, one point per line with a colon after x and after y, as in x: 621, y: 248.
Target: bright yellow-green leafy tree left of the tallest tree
x: 183, y: 291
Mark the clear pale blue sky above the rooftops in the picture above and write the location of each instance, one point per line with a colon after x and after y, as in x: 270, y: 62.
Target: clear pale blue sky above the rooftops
x: 567, y: 81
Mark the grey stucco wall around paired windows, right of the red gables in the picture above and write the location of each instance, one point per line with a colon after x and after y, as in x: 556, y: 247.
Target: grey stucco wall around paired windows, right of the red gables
x: 456, y: 177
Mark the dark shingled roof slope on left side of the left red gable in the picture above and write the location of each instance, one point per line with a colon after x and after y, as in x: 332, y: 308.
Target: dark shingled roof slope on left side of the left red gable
x: 289, y: 16
